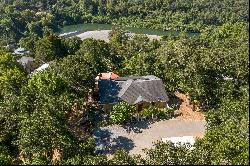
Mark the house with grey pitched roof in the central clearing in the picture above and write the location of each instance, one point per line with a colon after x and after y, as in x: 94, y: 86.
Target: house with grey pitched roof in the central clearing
x: 140, y: 91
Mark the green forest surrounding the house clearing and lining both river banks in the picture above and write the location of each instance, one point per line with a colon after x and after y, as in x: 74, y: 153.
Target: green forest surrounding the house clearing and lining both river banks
x: 211, y: 68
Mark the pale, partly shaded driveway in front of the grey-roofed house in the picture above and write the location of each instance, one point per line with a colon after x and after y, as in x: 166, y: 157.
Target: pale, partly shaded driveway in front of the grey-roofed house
x: 136, y: 137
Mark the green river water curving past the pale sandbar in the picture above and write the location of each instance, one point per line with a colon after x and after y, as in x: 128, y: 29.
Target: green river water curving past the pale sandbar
x: 80, y: 28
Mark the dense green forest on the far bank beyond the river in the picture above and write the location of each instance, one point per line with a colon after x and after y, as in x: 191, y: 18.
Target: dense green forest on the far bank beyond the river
x: 20, y: 18
